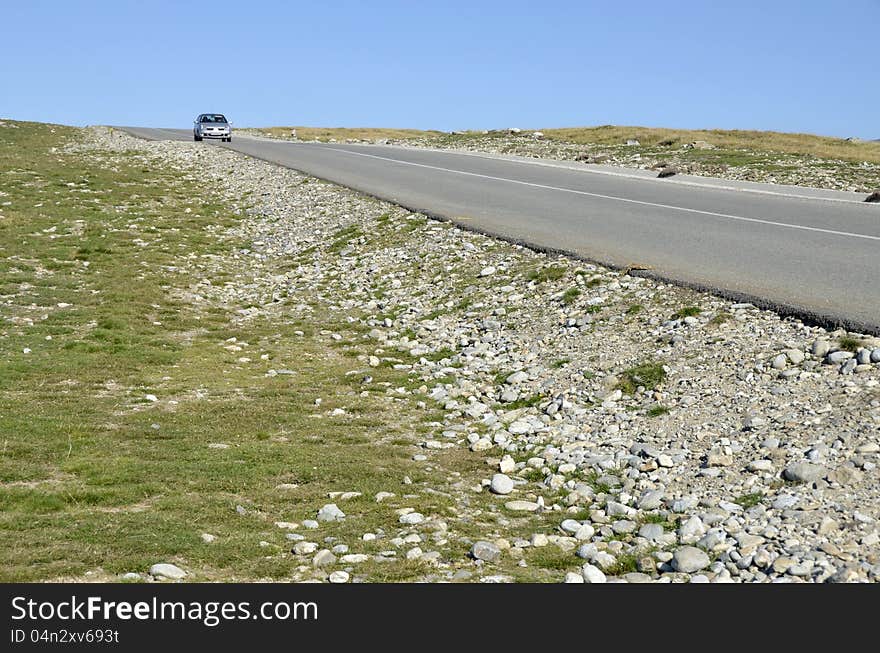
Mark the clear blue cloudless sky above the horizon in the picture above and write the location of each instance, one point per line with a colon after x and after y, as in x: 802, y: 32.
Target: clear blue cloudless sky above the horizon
x: 803, y: 66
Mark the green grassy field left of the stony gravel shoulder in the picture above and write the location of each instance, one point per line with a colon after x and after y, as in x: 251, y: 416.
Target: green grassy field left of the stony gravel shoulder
x: 135, y: 417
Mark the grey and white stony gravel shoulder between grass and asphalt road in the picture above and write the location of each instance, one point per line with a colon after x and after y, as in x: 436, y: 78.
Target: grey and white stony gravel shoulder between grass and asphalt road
x: 559, y: 421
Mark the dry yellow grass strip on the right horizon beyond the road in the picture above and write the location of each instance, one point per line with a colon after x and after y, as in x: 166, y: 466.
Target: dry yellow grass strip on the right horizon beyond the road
x: 820, y: 146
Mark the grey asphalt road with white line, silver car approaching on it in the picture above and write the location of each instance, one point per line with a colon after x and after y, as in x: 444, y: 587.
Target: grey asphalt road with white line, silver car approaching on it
x: 811, y: 253
